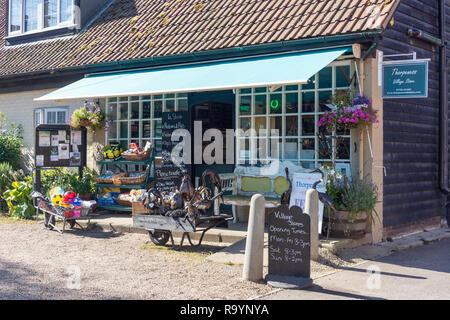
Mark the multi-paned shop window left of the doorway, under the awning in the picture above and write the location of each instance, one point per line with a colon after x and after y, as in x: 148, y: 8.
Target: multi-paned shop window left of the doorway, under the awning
x: 139, y: 119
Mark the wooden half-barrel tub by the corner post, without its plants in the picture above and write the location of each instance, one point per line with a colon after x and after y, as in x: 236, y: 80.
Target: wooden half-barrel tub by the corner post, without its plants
x: 353, y: 226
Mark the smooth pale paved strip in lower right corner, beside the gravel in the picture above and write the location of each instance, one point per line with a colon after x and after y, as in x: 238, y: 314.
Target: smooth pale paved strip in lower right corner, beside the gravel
x: 420, y: 273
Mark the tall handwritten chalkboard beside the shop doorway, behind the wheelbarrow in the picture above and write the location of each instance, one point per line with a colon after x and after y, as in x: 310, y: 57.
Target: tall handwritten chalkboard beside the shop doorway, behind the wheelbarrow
x: 169, y: 175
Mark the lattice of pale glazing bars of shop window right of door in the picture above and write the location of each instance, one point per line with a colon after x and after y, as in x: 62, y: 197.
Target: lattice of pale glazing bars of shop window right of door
x: 283, y: 135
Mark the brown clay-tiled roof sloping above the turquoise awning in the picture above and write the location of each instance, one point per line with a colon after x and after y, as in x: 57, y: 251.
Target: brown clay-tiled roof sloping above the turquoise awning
x: 135, y: 29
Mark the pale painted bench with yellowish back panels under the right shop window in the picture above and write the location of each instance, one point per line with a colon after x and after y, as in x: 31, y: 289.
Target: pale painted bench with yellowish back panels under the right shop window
x: 244, y: 183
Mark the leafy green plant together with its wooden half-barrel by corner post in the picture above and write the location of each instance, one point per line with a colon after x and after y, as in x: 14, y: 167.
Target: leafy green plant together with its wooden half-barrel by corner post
x: 355, y: 203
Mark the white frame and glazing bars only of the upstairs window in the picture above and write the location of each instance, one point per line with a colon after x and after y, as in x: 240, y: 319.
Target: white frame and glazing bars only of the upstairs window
x: 40, y: 21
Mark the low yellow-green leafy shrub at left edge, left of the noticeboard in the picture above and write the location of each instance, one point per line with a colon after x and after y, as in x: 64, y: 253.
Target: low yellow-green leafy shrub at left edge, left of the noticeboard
x: 18, y: 199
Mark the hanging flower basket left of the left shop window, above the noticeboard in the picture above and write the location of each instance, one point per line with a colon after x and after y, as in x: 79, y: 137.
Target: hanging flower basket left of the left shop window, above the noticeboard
x: 90, y: 116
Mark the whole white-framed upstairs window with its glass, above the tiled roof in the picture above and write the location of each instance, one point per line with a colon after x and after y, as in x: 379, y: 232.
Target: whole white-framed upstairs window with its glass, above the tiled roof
x: 36, y: 15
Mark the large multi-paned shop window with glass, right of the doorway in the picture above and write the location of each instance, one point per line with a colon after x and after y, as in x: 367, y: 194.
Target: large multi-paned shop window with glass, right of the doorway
x: 294, y: 111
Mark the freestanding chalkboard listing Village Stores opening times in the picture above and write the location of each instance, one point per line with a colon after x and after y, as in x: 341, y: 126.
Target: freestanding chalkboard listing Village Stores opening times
x: 289, y: 242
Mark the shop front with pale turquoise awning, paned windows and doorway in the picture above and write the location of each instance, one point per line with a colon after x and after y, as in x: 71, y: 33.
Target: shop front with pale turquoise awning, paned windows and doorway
x: 288, y: 93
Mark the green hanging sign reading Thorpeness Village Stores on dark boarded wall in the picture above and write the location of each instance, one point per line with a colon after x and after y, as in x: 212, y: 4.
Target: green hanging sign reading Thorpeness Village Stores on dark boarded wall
x: 405, y: 79
